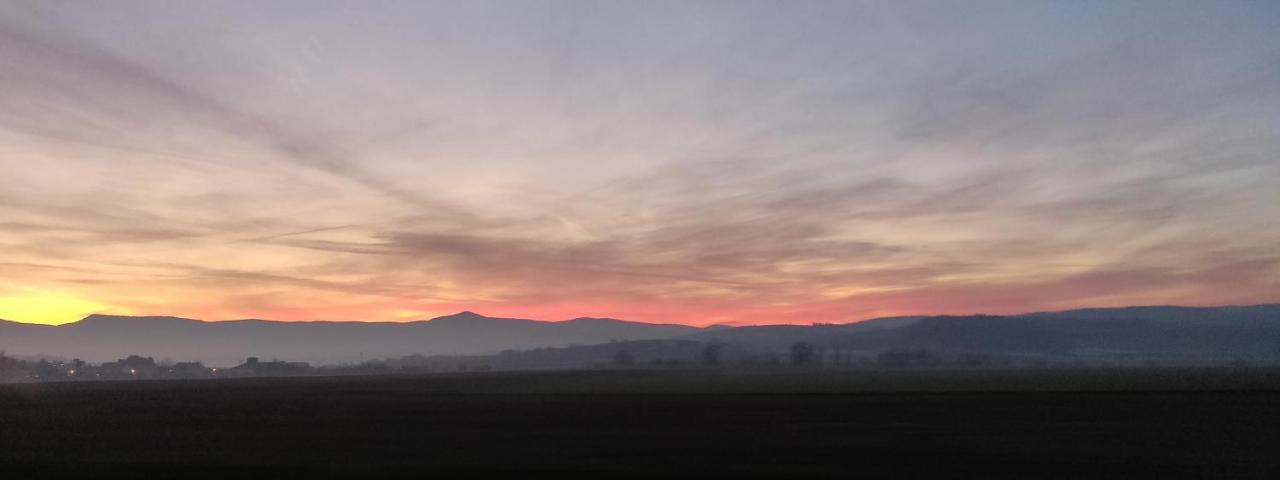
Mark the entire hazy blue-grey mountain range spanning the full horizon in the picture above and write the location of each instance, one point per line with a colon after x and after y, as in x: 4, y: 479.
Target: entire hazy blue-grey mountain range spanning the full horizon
x: 1127, y: 335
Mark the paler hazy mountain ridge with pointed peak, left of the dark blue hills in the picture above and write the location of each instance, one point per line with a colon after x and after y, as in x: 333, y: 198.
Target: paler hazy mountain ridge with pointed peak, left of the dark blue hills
x: 221, y: 344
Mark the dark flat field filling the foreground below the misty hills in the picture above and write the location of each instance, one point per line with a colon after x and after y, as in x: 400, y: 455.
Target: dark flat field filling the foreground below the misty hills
x: 644, y: 424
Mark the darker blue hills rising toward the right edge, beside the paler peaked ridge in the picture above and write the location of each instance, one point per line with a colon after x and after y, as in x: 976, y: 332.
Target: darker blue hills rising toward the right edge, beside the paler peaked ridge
x: 1169, y: 333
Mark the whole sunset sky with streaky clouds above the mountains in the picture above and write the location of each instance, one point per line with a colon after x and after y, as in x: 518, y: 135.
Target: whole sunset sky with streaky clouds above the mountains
x: 669, y: 162
